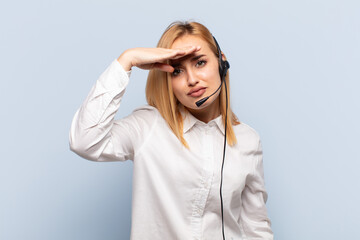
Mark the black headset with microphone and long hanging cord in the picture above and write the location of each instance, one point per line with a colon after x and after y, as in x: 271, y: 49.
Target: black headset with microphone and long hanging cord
x: 223, y: 69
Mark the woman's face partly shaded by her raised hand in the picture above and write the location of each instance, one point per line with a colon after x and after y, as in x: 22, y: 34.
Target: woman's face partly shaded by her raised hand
x: 196, y: 76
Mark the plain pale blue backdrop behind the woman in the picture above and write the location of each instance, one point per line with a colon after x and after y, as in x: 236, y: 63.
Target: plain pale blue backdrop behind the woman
x: 294, y: 78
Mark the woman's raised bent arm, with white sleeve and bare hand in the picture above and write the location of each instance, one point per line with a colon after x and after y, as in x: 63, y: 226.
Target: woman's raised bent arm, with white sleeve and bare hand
x: 94, y: 134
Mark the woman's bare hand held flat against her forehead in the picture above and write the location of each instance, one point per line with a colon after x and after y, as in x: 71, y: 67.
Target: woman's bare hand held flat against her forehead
x: 149, y: 58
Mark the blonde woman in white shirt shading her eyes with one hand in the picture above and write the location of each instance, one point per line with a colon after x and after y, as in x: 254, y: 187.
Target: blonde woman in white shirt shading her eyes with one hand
x: 176, y: 146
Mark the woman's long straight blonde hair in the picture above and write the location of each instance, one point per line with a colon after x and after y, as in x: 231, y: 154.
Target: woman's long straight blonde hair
x: 159, y: 93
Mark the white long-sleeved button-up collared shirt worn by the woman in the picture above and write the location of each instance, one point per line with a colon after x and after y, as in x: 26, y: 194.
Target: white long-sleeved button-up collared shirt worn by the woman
x: 175, y: 189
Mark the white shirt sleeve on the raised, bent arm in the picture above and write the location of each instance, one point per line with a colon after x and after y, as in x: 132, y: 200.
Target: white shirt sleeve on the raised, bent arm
x: 94, y: 133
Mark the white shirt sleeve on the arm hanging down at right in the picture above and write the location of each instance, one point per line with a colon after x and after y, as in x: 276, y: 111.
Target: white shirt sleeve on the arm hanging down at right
x: 253, y: 217
